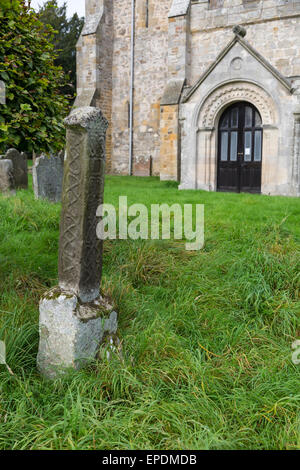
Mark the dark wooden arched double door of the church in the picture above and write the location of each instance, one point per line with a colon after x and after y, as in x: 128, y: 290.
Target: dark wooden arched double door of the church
x: 240, y: 149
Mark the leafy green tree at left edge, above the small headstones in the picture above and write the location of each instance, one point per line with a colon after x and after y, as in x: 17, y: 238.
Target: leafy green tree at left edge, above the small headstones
x: 32, y: 118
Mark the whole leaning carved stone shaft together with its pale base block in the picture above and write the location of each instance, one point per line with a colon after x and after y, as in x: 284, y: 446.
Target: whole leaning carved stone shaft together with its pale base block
x: 74, y: 318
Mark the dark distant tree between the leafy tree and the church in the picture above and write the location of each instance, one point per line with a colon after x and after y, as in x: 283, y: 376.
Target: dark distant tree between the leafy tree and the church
x: 67, y: 32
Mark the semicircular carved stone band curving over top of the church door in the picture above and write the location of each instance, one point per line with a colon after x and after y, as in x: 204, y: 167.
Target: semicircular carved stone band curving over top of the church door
x: 230, y: 93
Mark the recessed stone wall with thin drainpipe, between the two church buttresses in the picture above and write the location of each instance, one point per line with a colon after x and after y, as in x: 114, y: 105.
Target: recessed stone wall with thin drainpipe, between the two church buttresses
x: 151, y: 51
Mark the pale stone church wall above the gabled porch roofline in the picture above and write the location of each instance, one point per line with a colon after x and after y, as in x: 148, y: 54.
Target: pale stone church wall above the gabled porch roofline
x: 273, y: 28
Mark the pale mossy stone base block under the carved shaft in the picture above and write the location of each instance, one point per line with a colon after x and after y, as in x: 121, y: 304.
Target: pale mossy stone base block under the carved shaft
x: 71, y: 332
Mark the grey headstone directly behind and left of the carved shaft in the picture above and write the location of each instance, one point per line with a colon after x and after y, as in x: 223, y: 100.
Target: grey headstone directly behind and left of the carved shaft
x: 47, y: 175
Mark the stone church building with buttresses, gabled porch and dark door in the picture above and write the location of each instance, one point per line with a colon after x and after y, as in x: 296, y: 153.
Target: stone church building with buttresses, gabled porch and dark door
x: 203, y: 92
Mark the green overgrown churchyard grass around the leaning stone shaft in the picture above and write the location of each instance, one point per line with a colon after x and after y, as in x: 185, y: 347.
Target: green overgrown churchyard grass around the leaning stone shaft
x: 206, y: 336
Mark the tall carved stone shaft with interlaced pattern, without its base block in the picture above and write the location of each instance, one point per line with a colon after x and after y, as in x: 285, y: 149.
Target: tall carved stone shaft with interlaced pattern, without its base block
x: 80, y: 252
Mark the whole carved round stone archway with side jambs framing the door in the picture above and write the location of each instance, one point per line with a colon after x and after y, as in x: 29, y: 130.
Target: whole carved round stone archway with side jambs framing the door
x: 205, y: 122
